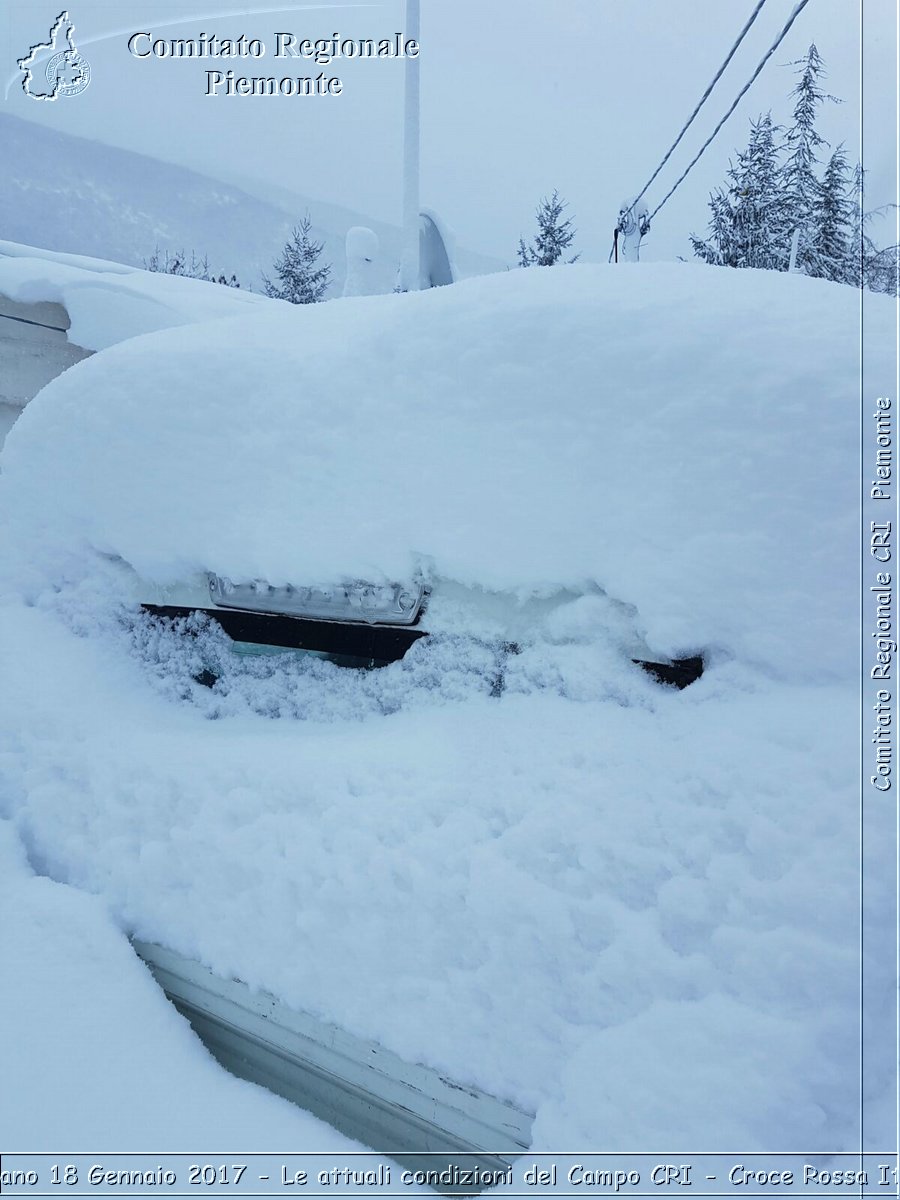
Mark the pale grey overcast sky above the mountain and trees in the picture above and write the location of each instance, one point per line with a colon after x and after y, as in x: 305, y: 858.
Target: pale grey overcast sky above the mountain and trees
x: 519, y: 98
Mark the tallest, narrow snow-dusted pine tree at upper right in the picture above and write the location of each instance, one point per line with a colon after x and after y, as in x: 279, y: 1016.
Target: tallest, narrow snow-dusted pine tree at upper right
x: 802, y: 188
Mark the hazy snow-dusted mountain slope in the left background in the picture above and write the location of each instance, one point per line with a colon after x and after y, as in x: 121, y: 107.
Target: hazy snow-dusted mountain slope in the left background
x: 75, y: 195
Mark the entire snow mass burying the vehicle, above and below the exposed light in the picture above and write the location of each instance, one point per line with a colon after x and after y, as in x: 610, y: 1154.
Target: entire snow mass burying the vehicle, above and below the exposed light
x: 593, y: 896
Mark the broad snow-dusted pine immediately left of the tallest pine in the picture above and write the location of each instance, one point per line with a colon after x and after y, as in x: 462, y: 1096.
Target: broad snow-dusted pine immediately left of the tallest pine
x: 747, y: 226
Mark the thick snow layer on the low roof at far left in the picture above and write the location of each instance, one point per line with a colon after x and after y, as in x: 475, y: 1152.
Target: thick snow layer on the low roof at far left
x: 109, y: 303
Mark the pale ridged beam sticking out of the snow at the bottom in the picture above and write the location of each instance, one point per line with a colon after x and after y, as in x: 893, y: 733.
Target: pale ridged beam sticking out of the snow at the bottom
x: 404, y: 1111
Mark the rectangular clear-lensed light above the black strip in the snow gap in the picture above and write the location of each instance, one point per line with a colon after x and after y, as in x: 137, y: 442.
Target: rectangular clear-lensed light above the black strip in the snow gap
x: 375, y: 604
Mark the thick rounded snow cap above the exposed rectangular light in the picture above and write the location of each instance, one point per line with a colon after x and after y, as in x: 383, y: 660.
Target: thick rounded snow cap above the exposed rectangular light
x: 681, y: 436
